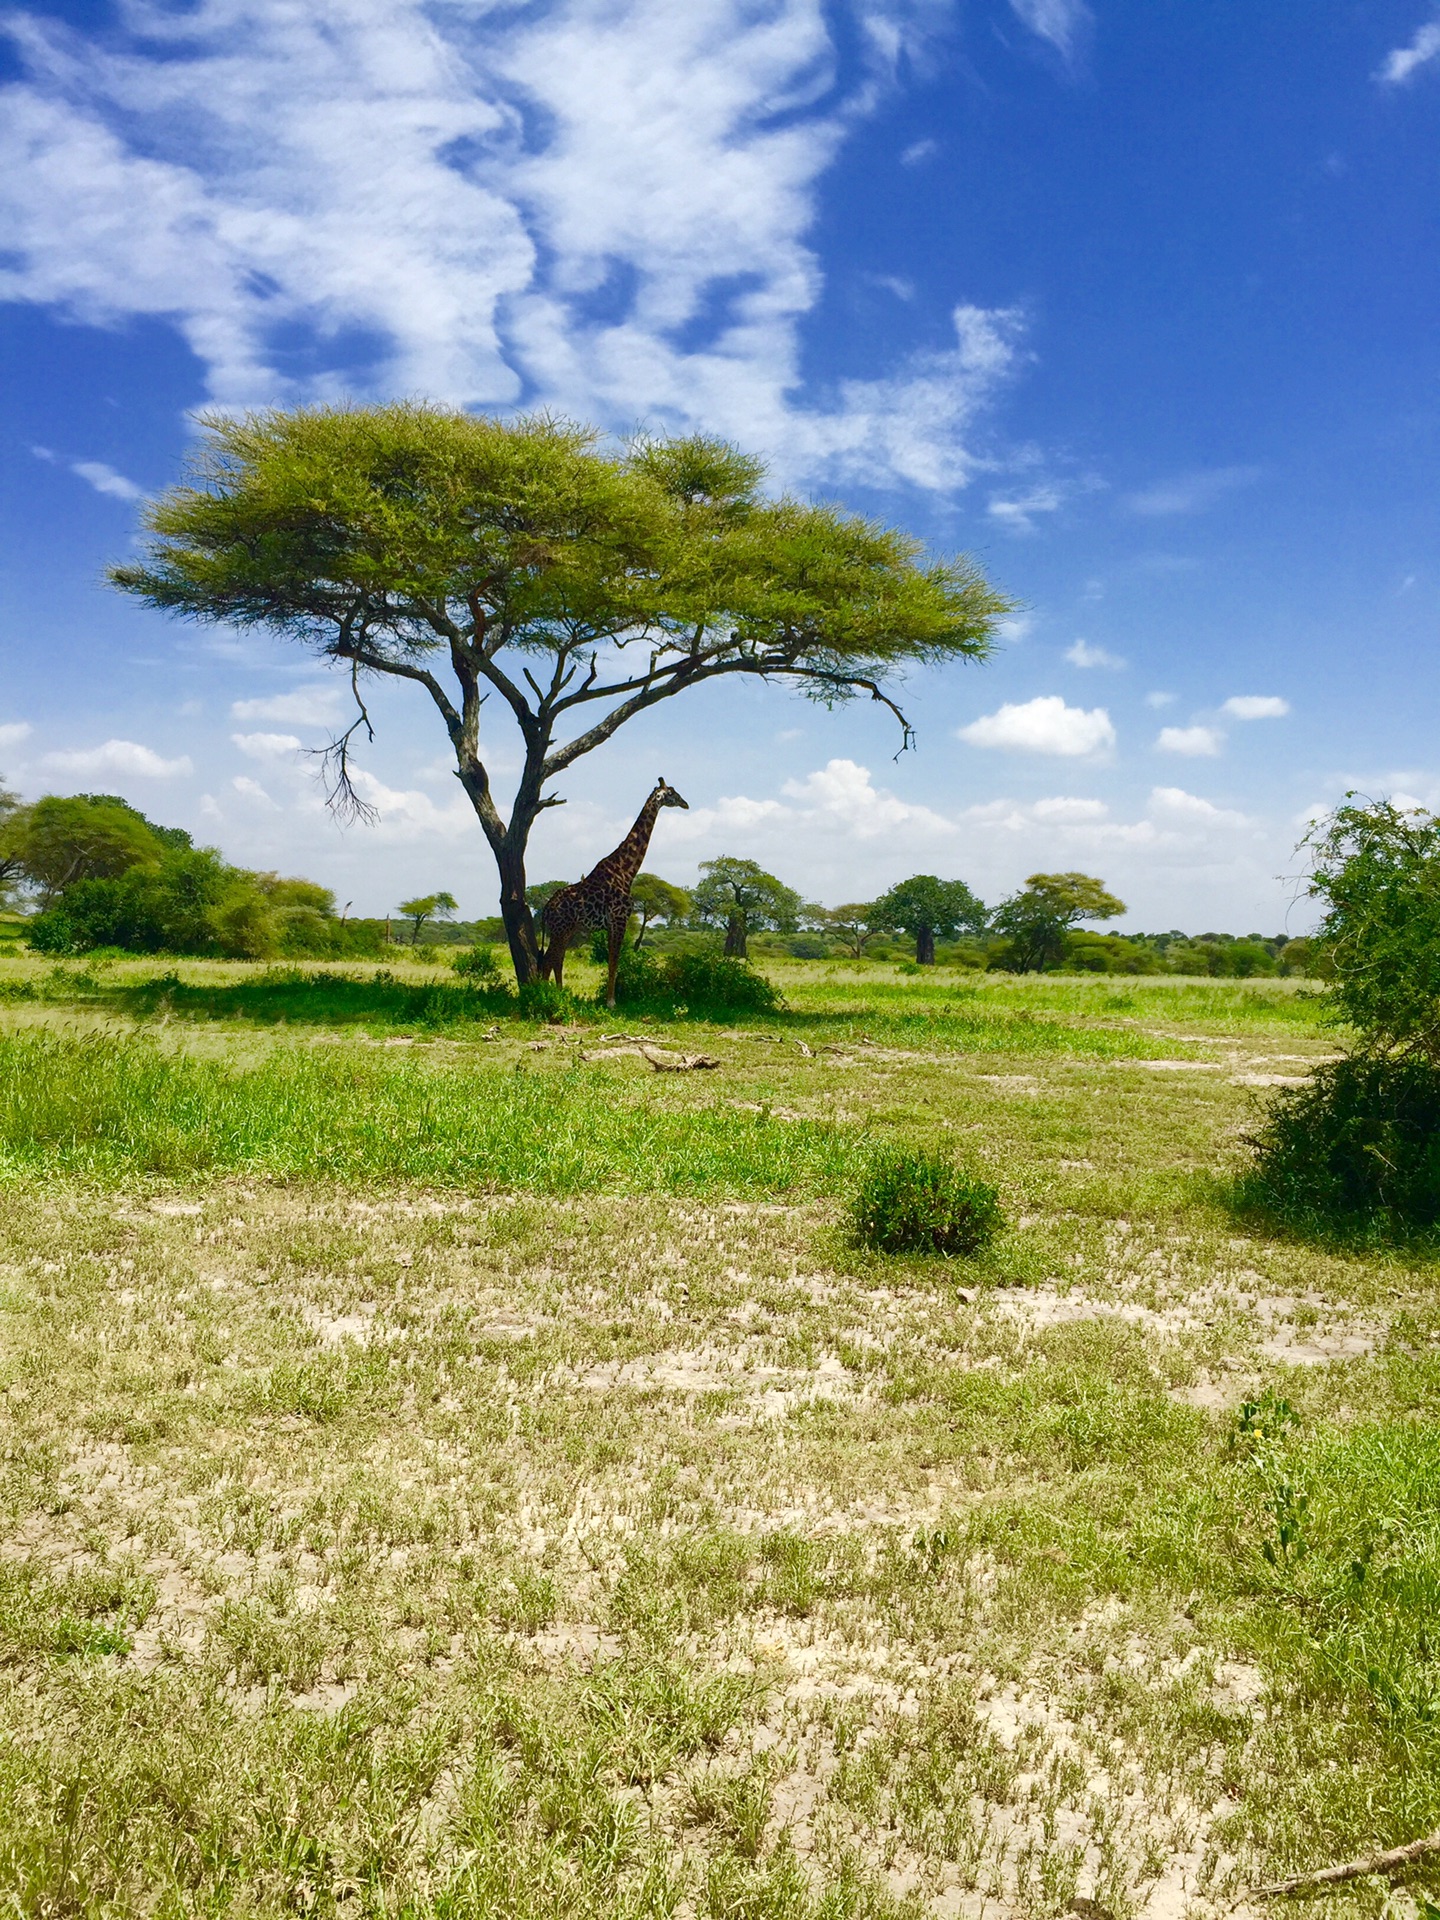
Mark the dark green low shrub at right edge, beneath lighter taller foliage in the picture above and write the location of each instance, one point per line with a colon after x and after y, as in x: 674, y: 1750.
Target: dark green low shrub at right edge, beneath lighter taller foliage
x: 1358, y: 1145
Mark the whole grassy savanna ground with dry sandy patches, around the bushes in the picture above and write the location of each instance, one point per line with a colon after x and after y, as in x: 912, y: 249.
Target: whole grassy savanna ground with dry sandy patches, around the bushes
x: 462, y: 1466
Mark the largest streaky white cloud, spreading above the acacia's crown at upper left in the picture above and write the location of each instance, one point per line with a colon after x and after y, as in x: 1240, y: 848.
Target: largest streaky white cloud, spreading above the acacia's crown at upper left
x: 598, y: 206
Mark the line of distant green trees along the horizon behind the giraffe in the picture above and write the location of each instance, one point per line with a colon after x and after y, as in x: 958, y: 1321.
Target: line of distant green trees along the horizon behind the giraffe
x: 95, y: 873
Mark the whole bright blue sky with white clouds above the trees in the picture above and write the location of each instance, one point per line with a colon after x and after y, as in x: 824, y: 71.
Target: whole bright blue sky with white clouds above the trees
x: 1136, y: 300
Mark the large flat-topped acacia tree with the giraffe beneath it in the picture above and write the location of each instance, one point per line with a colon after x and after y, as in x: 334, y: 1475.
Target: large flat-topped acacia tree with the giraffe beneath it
x: 527, y: 562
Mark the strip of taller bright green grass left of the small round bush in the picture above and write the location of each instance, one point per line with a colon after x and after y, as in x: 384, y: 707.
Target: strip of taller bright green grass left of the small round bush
x: 108, y: 1111
